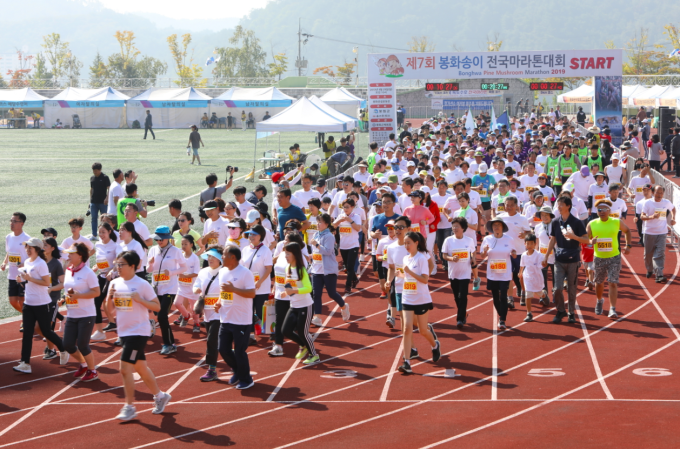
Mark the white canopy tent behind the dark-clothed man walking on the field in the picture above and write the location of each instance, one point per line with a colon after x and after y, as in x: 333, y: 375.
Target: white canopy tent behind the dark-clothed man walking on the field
x: 170, y: 108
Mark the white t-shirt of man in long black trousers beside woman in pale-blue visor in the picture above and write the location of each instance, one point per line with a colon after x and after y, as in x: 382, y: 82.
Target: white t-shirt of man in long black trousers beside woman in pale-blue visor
x: 235, y: 308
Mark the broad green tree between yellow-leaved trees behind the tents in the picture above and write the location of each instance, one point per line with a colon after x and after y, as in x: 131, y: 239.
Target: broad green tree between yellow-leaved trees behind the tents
x: 244, y: 59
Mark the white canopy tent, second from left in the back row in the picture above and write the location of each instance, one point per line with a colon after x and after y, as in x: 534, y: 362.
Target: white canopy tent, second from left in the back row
x: 95, y: 108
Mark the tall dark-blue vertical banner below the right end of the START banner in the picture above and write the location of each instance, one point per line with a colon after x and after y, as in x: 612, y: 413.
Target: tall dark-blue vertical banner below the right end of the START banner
x: 608, y: 104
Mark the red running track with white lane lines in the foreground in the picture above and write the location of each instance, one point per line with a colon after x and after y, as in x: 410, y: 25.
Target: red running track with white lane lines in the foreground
x: 598, y: 382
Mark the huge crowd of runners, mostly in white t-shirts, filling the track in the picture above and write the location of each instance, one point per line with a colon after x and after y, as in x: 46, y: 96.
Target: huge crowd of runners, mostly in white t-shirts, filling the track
x: 530, y: 205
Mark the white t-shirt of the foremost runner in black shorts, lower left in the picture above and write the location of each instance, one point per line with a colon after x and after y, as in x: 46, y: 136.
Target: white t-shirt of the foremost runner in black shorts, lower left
x: 132, y: 318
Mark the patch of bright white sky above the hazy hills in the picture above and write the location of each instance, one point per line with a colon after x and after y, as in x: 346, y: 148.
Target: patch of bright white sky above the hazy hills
x: 177, y: 9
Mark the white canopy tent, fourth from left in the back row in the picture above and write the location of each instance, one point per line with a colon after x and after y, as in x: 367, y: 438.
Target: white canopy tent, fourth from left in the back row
x: 258, y: 101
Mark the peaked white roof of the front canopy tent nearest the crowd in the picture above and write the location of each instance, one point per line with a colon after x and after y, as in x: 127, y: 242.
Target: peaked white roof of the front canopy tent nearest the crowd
x: 304, y: 115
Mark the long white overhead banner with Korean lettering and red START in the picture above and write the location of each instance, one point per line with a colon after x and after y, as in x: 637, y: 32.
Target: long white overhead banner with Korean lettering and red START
x: 505, y: 64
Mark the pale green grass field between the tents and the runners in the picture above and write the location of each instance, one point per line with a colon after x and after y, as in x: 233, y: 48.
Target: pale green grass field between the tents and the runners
x: 45, y: 174
